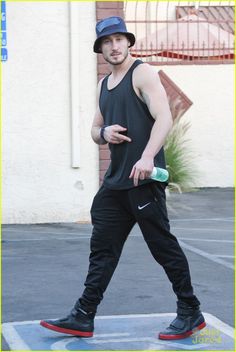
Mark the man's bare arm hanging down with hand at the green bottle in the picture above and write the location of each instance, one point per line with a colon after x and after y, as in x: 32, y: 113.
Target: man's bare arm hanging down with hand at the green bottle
x: 148, y: 83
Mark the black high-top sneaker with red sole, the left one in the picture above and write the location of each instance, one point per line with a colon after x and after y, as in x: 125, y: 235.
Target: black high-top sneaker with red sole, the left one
x: 78, y: 323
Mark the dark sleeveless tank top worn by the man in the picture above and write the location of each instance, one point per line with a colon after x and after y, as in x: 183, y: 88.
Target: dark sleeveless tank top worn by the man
x: 121, y: 105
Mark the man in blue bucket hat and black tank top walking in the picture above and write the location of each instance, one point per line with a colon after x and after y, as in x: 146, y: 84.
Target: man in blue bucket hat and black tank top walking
x: 134, y: 118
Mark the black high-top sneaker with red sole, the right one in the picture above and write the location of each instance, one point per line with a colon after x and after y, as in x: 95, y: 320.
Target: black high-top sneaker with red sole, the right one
x: 188, y: 321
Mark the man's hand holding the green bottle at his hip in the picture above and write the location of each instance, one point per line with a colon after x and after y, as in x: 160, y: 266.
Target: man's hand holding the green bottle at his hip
x: 142, y: 169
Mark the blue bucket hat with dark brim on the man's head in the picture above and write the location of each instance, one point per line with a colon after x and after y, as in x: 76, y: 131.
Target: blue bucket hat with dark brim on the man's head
x: 108, y: 26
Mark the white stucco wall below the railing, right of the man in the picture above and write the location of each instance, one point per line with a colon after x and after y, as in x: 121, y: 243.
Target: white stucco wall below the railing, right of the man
x: 211, y: 135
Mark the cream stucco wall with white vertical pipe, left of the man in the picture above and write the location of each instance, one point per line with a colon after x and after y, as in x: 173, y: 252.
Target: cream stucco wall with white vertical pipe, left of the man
x: 39, y: 184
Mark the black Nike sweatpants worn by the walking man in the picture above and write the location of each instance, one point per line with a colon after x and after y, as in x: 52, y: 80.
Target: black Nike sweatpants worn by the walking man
x: 114, y: 213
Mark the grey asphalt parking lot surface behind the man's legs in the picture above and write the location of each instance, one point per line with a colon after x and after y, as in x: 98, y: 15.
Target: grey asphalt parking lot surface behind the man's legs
x: 44, y: 265
